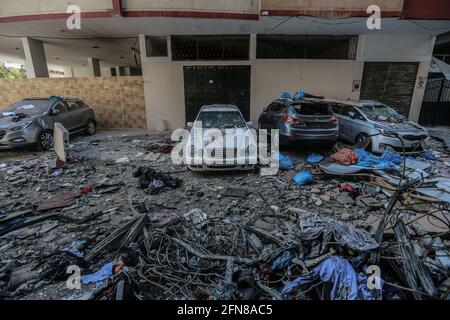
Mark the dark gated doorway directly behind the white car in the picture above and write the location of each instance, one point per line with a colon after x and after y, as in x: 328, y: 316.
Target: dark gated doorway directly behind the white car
x: 206, y: 85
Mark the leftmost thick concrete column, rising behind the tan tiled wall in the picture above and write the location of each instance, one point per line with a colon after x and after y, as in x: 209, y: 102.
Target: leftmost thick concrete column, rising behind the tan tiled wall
x: 36, y: 63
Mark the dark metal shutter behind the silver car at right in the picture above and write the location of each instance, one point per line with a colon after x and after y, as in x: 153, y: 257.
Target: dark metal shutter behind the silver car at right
x: 391, y: 83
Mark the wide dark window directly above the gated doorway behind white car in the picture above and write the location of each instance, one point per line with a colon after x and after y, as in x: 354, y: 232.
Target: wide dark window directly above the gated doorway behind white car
x: 210, y: 47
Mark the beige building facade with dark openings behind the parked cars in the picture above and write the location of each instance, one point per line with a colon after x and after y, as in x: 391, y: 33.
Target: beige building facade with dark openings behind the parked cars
x: 193, y: 53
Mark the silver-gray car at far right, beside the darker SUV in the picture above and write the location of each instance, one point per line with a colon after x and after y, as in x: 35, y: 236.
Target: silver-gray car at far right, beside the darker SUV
x: 359, y: 120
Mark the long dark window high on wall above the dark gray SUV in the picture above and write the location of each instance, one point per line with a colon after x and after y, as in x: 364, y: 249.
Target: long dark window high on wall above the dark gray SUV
x: 306, y: 47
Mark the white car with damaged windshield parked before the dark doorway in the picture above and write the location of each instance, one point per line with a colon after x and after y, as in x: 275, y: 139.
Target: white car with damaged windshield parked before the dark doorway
x: 220, y: 139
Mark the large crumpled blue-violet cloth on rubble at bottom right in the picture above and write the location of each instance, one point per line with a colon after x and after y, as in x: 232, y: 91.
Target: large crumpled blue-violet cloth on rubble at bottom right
x: 347, y: 284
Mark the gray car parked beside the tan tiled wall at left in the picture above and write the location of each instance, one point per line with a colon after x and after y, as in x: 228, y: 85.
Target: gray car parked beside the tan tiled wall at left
x: 31, y: 121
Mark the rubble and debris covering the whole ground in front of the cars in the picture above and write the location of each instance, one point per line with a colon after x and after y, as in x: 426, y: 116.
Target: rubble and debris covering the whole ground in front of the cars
x: 343, y: 224
